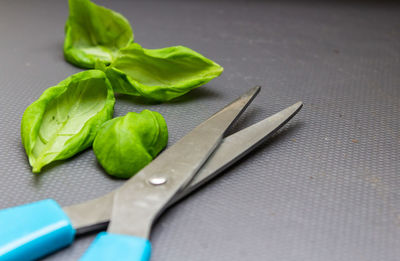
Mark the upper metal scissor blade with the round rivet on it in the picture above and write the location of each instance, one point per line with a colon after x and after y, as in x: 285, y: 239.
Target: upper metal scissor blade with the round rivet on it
x: 142, y: 198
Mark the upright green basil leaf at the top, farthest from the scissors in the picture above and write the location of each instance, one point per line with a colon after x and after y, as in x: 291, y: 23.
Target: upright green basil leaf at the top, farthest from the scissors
x: 93, y: 32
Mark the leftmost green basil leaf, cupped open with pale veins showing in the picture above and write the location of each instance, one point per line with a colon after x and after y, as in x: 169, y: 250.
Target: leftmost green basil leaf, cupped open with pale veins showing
x: 66, y: 117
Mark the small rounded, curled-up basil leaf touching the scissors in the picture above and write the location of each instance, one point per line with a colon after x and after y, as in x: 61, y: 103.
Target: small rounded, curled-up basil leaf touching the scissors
x: 124, y: 145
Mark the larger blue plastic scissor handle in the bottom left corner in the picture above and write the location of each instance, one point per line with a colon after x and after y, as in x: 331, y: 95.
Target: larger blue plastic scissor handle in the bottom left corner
x: 30, y: 231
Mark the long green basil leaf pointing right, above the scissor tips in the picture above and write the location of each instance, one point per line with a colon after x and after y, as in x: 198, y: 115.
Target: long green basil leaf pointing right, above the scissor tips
x: 160, y: 74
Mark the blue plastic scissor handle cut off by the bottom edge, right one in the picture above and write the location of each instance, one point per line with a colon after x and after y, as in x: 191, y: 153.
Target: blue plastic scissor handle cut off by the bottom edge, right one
x: 108, y: 246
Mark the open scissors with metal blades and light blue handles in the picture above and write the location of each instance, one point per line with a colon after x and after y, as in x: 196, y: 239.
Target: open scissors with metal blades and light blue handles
x: 127, y: 214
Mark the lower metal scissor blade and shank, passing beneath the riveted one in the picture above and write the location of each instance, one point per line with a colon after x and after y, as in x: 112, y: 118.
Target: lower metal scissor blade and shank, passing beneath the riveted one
x: 95, y: 214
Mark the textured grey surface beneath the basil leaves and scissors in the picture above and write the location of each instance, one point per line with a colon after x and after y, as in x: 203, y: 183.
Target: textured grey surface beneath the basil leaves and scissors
x: 325, y: 188
